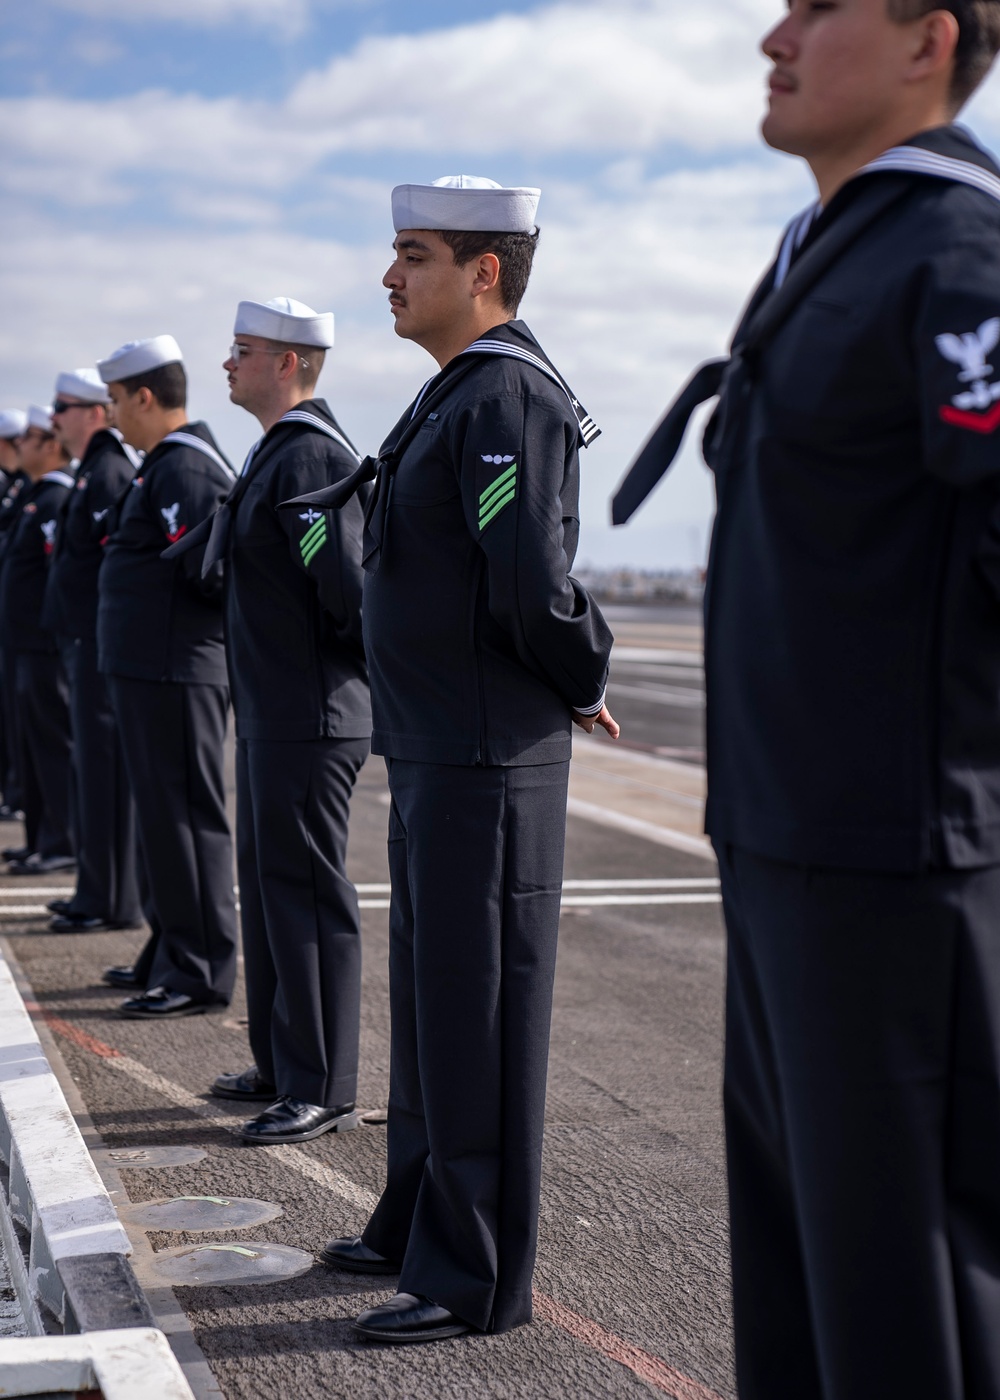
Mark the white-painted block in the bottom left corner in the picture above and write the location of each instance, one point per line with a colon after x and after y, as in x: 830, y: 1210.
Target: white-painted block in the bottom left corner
x: 130, y: 1364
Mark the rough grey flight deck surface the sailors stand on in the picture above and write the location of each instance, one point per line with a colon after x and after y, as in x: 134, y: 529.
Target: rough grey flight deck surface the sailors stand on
x: 632, y: 1275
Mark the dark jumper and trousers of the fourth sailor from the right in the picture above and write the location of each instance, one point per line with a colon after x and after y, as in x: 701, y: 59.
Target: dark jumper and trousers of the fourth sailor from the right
x: 160, y: 646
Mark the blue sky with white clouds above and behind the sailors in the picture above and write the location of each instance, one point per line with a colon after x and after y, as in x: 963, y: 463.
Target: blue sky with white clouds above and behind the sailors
x: 166, y: 159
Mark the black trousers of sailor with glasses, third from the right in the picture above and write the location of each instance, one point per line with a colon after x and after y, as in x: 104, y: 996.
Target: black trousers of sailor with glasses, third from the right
x: 299, y: 913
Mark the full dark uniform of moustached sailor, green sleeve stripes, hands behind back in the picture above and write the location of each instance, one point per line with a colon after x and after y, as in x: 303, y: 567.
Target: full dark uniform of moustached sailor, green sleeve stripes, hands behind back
x: 480, y: 645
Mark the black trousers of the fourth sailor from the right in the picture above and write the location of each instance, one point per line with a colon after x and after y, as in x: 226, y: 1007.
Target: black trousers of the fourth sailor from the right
x: 173, y: 743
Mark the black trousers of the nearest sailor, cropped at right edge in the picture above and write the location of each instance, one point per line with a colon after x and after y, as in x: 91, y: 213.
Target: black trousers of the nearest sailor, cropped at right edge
x: 863, y: 1130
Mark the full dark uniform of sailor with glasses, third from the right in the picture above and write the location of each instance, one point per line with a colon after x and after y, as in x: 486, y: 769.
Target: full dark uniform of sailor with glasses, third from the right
x: 300, y: 695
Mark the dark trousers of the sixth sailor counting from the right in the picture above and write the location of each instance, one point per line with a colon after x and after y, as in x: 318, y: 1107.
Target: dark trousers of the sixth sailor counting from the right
x: 47, y: 750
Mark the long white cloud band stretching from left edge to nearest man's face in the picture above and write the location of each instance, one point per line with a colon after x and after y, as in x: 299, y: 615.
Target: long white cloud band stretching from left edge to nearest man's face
x: 564, y: 79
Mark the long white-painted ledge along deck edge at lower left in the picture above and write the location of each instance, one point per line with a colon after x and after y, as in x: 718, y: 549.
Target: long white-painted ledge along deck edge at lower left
x: 55, y: 1191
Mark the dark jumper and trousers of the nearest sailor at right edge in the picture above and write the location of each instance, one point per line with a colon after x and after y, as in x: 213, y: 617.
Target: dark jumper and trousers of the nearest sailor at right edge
x: 854, y: 734
